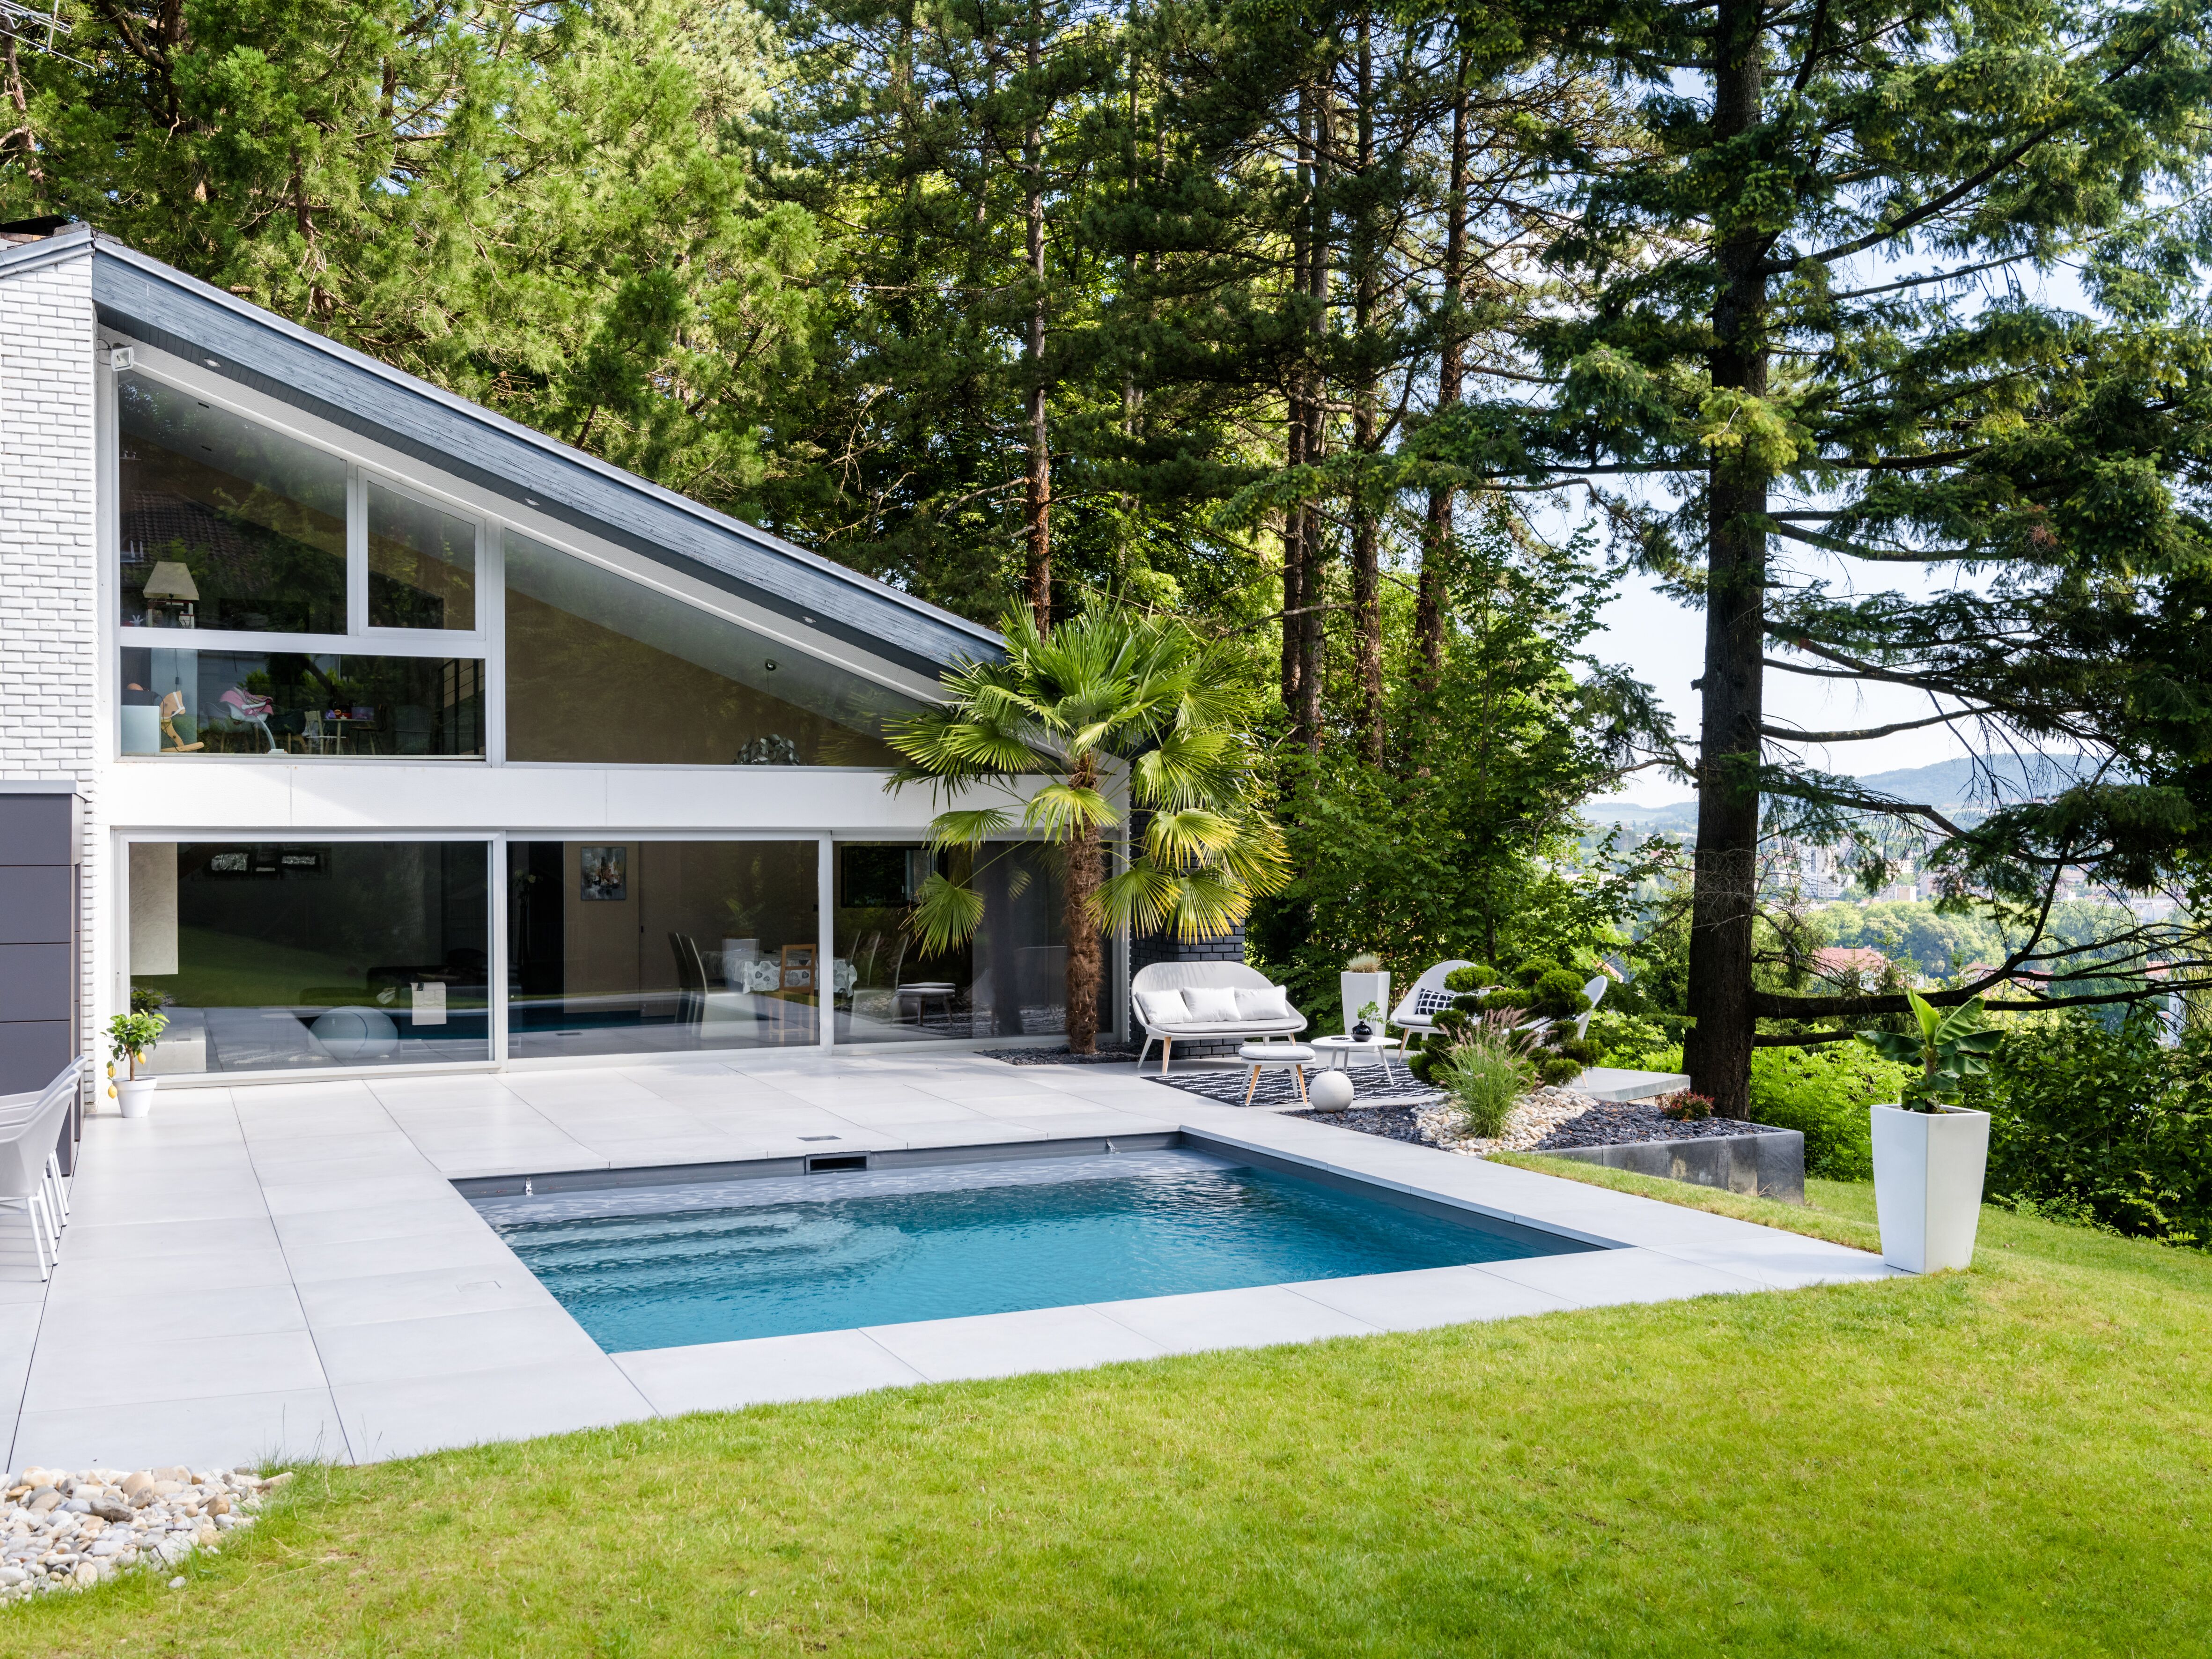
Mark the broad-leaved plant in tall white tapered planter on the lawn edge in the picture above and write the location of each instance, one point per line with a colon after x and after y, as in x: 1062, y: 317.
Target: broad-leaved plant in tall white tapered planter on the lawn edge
x: 1930, y: 1156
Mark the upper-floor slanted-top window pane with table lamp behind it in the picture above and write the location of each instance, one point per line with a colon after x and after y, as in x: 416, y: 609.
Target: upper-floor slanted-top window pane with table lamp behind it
x: 225, y: 523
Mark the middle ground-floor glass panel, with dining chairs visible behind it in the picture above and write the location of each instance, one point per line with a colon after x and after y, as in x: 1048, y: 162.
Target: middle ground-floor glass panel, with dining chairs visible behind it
x: 660, y: 946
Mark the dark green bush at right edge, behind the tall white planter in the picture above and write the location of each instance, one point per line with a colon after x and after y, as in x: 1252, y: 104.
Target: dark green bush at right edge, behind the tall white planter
x: 2100, y: 1123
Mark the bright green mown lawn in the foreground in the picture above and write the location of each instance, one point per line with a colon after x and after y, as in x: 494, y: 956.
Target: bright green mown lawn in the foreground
x: 1996, y: 1463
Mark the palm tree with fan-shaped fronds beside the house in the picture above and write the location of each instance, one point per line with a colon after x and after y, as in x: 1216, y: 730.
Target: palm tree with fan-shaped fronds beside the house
x: 1107, y: 700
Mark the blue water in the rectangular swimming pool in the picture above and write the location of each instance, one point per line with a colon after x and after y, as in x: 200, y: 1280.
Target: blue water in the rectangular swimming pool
x: 716, y: 1262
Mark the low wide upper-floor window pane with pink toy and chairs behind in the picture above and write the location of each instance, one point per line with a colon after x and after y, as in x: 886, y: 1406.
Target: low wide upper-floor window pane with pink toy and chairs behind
x: 280, y: 702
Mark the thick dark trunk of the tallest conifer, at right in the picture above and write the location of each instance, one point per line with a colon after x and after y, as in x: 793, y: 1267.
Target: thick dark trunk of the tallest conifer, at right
x: 1726, y: 899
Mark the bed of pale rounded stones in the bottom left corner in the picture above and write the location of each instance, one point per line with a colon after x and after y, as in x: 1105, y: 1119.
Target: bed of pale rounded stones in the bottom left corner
x: 63, y: 1530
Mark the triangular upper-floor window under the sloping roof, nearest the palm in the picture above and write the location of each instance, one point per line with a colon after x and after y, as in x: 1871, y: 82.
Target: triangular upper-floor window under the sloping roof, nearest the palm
x: 603, y: 669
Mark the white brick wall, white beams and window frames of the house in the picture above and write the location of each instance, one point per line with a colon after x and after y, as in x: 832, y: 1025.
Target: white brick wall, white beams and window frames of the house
x: 65, y: 660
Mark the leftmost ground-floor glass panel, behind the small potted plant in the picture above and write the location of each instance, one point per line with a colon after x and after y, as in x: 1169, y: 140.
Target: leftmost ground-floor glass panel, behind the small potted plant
x: 300, y: 957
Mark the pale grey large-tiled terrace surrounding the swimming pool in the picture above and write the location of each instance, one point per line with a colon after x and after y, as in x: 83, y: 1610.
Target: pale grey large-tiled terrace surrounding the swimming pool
x: 286, y: 1269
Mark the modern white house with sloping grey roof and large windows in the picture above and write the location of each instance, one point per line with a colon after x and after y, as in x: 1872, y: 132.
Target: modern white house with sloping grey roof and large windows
x: 379, y: 731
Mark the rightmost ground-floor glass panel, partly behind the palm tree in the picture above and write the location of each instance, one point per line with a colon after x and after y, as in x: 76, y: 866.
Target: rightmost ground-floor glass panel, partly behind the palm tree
x: 1010, y: 981
